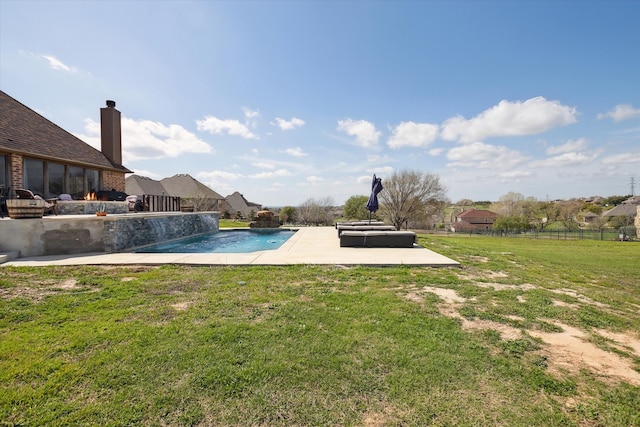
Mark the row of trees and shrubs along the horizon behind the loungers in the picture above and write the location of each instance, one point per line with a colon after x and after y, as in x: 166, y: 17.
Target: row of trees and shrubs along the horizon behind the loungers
x: 414, y: 199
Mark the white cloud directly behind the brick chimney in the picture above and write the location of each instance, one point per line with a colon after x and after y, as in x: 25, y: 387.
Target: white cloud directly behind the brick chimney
x: 146, y: 139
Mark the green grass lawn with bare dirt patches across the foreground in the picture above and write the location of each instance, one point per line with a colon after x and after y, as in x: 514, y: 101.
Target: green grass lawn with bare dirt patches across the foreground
x: 528, y: 332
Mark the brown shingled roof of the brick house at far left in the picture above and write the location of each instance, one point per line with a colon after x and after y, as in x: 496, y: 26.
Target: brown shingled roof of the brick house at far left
x: 25, y: 132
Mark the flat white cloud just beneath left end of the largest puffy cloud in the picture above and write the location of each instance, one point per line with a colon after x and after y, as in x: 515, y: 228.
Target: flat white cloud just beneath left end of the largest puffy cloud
x: 481, y: 155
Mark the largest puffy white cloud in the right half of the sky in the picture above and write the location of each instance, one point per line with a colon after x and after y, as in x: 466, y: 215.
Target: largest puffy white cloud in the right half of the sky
x: 533, y: 116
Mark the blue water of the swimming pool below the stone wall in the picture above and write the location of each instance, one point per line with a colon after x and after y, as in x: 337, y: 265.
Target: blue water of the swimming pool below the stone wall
x: 226, y: 241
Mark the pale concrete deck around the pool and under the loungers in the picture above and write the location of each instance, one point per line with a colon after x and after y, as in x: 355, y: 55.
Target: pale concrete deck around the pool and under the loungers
x: 309, y: 245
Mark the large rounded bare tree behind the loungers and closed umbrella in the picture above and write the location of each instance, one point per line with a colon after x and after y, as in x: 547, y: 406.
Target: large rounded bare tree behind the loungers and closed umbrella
x: 410, y: 195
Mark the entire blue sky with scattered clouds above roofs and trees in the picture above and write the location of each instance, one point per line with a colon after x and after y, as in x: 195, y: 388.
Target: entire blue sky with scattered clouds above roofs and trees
x: 288, y: 100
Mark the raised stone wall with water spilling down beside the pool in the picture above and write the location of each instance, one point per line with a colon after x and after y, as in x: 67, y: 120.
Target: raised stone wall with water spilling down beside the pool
x: 65, y: 235
